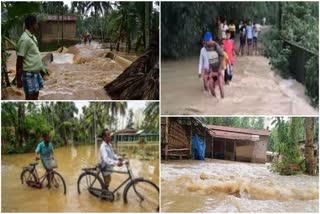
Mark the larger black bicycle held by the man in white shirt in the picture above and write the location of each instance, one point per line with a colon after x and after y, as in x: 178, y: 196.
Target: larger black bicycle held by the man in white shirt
x: 140, y: 189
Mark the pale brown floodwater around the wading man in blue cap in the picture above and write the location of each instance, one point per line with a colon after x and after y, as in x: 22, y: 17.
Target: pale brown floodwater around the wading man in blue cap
x: 255, y: 90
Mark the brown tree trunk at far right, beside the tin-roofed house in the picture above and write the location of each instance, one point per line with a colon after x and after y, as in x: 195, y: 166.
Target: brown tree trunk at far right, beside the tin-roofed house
x: 309, y: 146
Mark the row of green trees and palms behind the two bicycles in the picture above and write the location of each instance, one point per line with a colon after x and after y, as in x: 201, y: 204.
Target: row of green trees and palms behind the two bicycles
x: 23, y: 123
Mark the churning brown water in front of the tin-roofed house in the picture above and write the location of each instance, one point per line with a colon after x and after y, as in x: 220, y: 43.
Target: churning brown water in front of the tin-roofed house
x: 227, y: 186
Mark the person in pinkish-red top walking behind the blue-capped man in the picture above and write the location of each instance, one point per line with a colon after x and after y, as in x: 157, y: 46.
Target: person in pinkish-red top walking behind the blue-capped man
x: 228, y: 47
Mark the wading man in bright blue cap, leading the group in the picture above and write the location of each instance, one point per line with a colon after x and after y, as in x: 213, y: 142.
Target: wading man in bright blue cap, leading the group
x: 211, y: 65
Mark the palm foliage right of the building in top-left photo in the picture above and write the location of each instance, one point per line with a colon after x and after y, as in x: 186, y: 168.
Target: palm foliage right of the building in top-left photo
x: 134, y: 23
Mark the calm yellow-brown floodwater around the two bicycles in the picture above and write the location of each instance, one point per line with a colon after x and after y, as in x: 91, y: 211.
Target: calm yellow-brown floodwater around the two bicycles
x: 16, y: 197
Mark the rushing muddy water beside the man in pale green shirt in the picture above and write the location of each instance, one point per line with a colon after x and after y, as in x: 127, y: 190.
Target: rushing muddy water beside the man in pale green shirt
x: 78, y: 73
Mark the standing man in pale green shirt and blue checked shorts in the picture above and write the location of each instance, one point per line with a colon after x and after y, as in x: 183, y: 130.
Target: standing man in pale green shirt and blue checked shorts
x: 29, y: 63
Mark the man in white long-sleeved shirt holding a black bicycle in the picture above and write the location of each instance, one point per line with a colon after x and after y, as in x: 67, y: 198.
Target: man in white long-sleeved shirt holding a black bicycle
x: 107, y: 157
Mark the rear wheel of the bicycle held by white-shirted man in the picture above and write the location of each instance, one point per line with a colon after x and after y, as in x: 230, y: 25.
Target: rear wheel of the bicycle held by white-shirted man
x: 89, y: 180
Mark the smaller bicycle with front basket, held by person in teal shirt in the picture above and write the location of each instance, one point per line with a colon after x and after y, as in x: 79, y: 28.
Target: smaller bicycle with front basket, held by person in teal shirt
x: 30, y: 177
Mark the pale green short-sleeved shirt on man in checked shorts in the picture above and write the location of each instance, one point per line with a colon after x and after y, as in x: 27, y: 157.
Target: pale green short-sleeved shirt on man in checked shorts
x: 28, y: 49
